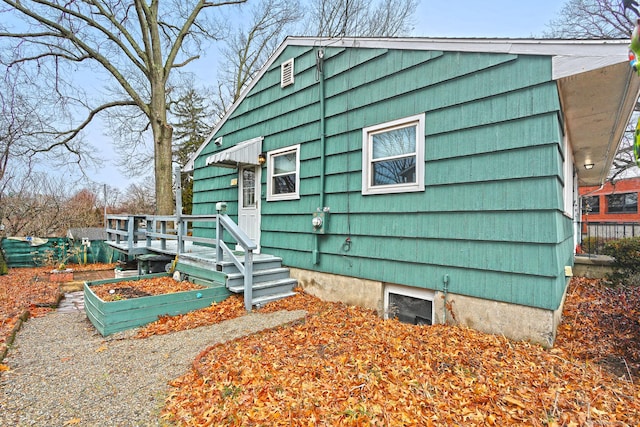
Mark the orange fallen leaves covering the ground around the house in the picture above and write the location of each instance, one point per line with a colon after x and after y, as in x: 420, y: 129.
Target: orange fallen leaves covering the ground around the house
x: 344, y: 365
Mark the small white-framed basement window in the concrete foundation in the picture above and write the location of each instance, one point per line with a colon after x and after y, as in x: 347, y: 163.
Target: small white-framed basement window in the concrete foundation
x: 409, y: 305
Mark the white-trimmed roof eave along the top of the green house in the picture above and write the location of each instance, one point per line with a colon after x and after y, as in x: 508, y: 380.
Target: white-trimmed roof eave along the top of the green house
x: 571, y: 58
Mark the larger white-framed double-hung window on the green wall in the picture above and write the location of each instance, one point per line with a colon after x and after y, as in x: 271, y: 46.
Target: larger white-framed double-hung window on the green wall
x: 393, y: 156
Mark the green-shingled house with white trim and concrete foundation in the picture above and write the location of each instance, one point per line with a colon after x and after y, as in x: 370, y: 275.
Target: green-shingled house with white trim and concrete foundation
x: 435, y: 179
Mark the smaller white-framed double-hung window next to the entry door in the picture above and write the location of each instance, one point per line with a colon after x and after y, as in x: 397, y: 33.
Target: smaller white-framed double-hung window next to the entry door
x: 283, y: 170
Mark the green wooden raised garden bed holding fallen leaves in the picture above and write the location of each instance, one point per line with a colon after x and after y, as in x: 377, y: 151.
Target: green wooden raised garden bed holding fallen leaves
x: 136, y: 307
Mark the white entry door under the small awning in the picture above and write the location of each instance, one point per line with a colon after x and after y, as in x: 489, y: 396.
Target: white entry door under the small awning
x: 249, y: 202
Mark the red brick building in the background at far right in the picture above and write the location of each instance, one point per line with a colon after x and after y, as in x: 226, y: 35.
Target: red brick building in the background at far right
x: 611, y: 202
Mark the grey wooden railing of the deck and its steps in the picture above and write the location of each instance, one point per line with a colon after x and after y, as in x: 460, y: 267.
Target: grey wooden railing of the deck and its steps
x: 128, y: 231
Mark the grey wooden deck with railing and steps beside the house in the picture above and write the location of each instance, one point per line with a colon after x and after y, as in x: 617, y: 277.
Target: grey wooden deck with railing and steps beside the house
x: 208, y: 260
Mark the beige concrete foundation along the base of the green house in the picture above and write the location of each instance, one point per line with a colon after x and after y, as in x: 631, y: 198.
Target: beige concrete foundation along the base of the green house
x: 516, y: 322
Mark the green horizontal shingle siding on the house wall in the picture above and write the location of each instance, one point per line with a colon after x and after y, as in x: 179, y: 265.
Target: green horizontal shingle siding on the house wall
x: 491, y: 213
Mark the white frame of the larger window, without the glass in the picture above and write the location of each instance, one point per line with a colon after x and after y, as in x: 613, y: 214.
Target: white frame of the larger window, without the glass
x: 367, y: 151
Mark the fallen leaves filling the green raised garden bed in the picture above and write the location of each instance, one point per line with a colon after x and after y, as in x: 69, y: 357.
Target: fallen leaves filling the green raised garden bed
x: 143, y: 287
